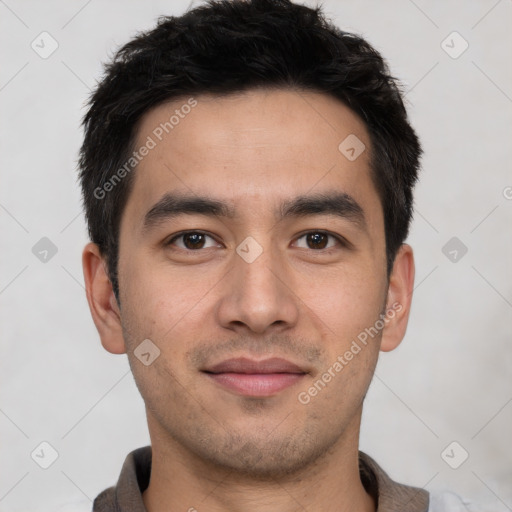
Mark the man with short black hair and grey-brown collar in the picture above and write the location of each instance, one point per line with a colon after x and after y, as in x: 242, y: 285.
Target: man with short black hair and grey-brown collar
x: 247, y: 173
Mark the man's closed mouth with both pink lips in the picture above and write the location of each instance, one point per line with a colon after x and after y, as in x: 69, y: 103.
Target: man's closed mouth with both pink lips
x: 255, y: 378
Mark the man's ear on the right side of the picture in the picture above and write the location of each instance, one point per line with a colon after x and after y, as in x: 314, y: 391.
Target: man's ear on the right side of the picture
x: 398, y: 303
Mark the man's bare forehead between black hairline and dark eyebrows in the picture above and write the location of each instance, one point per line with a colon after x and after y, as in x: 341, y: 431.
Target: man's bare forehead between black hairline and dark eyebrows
x: 250, y: 148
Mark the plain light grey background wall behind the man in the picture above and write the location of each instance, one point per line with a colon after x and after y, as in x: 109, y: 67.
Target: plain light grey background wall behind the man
x: 450, y: 380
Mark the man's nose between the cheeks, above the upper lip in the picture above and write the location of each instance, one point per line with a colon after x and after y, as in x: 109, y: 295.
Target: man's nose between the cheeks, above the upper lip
x: 258, y: 295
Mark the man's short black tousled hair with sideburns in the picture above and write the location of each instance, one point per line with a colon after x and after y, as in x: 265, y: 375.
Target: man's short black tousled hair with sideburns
x: 231, y: 46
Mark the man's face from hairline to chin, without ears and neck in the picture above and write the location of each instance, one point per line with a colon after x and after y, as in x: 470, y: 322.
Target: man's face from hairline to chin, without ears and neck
x: 249, y: 235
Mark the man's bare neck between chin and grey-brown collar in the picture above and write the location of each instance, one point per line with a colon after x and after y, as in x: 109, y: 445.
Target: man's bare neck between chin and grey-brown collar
x: 181, y: 481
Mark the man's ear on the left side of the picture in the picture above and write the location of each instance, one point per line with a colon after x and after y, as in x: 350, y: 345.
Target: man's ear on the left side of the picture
x: 102, y: 301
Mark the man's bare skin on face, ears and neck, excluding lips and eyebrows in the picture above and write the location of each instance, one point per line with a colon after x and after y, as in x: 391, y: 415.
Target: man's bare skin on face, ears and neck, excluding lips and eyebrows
x: 214, y: 449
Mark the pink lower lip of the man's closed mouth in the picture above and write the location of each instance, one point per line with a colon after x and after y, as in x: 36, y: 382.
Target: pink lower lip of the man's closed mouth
x: 257, y: 384
